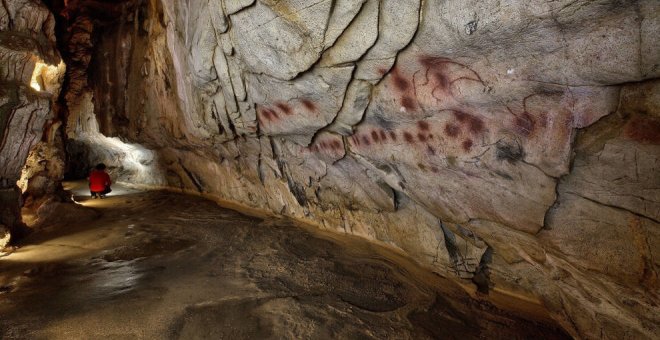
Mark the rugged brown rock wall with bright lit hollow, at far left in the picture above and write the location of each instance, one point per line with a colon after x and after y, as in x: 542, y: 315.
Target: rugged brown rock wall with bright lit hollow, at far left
x: 30, y: 77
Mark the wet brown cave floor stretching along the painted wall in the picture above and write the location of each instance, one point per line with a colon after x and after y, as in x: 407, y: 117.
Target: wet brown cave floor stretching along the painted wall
x: 157, y: 264
